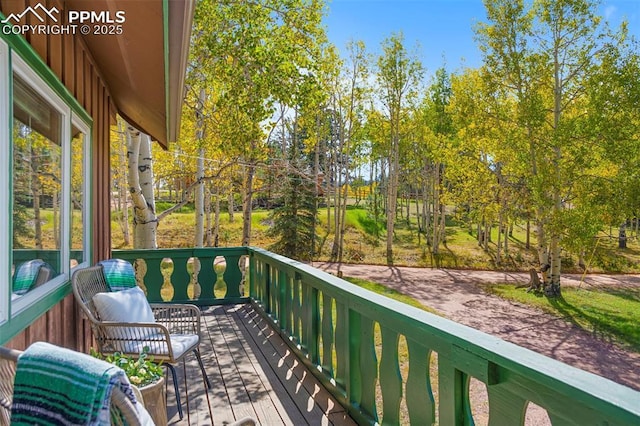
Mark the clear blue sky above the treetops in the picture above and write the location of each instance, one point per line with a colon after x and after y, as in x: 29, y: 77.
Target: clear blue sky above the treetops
x: 438, y: 27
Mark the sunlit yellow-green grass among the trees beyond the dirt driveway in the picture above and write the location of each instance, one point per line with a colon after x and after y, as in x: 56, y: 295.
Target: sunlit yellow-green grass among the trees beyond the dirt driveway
x: 365, y: 242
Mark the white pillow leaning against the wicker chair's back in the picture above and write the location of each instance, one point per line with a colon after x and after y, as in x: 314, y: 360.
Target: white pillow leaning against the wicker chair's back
x: 130, y: 306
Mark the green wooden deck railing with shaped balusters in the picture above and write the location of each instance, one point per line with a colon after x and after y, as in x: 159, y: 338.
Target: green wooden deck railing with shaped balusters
x: 388, y: 362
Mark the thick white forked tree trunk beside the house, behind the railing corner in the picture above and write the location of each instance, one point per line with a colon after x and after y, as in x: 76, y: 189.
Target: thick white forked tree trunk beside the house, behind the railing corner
x: 145, y: 222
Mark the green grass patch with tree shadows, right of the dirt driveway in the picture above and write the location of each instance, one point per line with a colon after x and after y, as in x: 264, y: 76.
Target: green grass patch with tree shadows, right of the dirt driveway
x: 610, y: 313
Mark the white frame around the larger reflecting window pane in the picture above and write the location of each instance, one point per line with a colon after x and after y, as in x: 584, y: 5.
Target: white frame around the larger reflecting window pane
x: 29, y: 76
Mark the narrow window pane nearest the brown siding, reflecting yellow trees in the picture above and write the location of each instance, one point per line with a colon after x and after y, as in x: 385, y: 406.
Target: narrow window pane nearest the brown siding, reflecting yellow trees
x: 77, y: 196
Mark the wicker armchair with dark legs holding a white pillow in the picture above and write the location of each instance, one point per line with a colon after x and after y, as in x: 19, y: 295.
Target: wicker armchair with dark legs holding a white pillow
x: 175, y: 333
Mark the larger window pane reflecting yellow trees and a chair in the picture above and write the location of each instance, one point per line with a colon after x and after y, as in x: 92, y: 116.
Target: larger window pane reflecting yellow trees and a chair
x: 37, y: 177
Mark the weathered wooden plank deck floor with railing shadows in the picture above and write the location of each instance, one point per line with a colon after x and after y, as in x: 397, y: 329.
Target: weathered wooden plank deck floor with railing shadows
x: 253, y: 373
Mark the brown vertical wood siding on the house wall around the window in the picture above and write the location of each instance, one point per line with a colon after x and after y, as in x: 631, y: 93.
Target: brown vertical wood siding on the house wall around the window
x: 71, y: 61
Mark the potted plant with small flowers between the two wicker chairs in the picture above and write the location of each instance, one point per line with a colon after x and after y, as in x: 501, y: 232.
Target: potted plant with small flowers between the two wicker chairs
x: 146, y: 376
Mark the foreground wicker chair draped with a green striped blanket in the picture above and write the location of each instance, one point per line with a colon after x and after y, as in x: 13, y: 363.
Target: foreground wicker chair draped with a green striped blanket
x: 8, y: 361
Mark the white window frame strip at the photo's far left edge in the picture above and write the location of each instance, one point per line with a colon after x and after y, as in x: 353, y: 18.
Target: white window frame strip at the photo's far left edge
x: 5, y: 178
